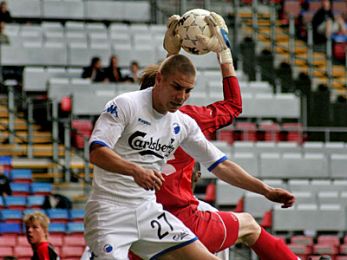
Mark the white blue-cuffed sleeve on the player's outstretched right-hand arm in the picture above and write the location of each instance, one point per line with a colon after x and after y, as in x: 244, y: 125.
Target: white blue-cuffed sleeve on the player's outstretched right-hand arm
x: 197, y: 146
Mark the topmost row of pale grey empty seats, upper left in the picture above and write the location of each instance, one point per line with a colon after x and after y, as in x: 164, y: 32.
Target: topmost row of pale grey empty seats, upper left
x: 134, y: 11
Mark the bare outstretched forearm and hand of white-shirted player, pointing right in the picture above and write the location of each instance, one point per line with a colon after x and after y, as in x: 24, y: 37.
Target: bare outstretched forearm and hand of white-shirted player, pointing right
x: 233, y: 174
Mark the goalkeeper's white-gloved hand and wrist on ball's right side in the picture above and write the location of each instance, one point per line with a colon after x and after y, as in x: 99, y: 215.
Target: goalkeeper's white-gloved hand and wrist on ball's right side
x: 219, y: 42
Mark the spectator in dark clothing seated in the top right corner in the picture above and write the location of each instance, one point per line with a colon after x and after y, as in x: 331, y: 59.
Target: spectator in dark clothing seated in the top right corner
x: 324, y: 24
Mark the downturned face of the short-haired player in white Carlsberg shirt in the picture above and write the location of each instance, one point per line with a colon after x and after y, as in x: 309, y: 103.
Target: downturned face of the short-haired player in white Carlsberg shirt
x: 174, y: 91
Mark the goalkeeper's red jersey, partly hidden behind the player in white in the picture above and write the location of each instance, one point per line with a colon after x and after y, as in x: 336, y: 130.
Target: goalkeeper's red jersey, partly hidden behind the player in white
x: 177, y: 191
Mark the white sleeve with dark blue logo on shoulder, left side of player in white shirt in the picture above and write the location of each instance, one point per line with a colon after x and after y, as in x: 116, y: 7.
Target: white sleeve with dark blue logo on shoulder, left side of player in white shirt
x: 111, y: 122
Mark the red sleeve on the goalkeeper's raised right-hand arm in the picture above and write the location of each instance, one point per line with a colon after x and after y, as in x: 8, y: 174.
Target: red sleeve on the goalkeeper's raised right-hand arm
x: 218, y: 114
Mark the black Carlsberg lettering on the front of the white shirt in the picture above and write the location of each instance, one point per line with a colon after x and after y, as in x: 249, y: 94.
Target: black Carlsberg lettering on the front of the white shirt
x: 150, y: 146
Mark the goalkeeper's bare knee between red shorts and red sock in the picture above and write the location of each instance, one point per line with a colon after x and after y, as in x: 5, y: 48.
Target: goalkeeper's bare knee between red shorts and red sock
x: 249, y: 229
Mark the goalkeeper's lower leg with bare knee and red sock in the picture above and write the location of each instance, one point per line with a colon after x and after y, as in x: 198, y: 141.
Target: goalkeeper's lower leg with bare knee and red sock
x: 263, y: 243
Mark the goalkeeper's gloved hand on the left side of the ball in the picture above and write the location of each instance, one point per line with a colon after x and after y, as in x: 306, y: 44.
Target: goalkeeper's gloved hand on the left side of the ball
x: 172, y: 41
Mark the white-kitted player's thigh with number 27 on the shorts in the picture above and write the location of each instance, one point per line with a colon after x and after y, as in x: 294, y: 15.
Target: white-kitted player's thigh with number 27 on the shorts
x: 163, y: 236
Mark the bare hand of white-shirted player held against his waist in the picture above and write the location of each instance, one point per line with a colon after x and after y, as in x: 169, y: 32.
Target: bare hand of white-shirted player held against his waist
x: 149, y: 179
